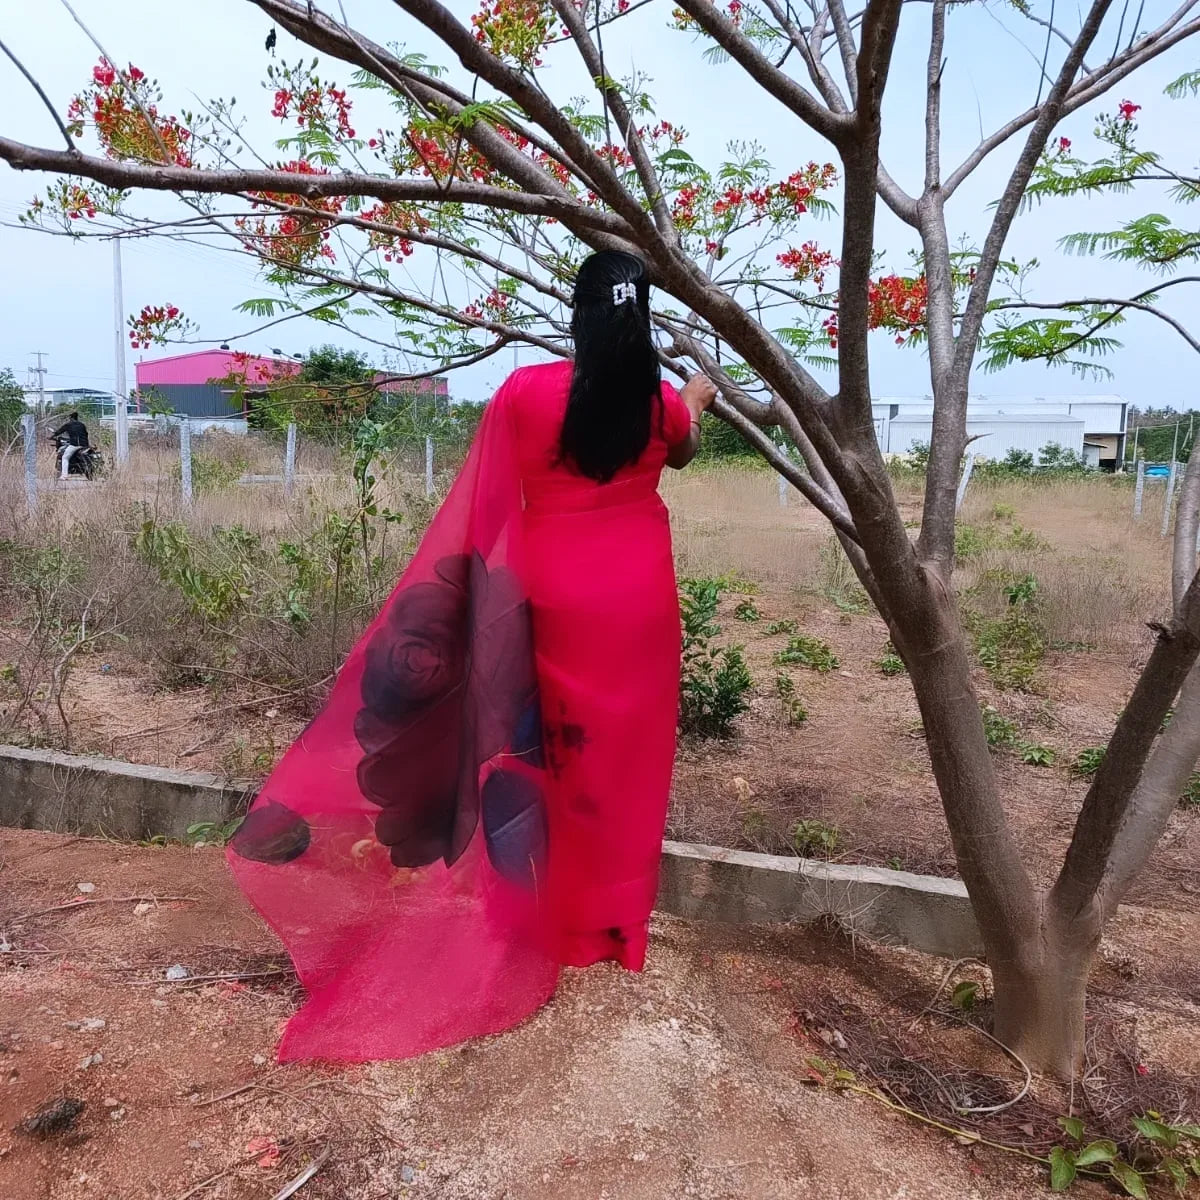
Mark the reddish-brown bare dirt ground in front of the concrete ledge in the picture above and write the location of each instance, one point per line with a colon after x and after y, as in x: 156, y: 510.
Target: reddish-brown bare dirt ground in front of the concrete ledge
x: 694, y: 1079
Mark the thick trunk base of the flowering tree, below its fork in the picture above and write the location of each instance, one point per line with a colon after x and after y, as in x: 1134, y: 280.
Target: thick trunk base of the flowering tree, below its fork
x: 1041, y: 997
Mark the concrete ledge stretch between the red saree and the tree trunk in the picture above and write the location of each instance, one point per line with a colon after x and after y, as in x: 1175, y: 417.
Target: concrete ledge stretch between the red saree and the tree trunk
x: 742, y: 889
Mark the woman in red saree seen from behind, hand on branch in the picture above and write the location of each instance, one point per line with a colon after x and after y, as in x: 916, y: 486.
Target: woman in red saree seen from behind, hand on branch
x: 483, y: 797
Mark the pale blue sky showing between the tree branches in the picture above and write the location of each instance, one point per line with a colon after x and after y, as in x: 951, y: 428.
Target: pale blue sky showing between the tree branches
x: 58, y: 293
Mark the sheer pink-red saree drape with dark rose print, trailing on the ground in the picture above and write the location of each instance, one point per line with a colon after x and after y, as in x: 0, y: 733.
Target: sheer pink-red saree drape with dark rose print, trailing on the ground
x: 399, y: 849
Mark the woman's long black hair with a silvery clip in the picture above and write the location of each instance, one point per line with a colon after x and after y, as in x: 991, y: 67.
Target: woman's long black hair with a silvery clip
x: 616, y: 383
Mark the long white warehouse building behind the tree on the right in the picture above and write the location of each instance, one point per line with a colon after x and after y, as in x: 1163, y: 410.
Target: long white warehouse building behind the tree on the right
x: 1094, y: 428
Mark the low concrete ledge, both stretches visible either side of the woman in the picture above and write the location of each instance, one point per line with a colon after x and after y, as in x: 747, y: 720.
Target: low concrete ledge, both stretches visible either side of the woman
x: 71, y: 794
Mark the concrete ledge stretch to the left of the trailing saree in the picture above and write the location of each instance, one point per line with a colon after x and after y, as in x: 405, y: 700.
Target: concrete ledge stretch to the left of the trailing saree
x: 101, y: 797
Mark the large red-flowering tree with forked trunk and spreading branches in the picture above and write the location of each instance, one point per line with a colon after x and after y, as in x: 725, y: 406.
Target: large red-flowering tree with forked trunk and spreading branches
x: 509, y: 185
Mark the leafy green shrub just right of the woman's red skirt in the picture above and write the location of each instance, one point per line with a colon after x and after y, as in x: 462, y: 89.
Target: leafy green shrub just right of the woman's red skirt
x: 715, y: 683
